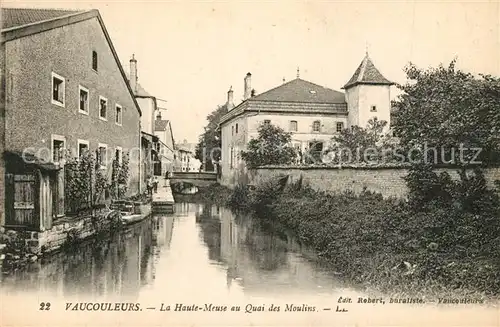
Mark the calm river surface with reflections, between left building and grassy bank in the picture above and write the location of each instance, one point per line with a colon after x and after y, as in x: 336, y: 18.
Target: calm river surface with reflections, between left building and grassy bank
x: 169, y: 253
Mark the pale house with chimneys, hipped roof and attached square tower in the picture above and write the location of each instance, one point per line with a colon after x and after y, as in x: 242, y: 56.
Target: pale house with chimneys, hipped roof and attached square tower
x: 312, y: 113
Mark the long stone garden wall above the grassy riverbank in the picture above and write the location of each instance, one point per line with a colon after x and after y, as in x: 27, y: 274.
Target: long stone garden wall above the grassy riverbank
x: 385, y: 180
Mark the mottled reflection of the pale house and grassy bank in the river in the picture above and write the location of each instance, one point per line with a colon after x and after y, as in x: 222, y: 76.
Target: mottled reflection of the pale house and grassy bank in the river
x: 259, y: 260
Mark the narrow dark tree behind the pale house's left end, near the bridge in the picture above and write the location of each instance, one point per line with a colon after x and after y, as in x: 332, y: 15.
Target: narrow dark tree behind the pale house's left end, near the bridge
x: 211, y: 139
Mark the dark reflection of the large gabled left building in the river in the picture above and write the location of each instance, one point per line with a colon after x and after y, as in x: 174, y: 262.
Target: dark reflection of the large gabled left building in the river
x: 112, y: 267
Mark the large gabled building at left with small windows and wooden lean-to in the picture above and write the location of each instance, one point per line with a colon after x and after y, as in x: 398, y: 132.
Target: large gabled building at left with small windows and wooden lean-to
x: 63, y: 88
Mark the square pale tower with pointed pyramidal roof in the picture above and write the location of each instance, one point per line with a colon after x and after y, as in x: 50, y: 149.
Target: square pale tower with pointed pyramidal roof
x: 368, y: 95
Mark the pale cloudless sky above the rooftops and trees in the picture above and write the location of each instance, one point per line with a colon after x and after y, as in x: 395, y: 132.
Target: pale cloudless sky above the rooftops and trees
x: 189, y: 53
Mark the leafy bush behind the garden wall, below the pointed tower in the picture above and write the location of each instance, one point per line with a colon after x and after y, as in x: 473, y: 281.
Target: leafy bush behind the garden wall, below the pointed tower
x: 364, y: 144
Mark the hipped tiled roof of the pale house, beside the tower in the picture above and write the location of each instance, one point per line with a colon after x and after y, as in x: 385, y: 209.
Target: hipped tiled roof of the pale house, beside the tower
x: 299, y: 90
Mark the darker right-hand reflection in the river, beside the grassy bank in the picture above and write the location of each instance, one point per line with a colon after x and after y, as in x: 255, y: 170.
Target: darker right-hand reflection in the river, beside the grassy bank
x: 261, y: 261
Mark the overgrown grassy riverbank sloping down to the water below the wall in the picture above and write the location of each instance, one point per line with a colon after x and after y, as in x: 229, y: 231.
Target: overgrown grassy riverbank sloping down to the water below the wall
x: 379, y: 244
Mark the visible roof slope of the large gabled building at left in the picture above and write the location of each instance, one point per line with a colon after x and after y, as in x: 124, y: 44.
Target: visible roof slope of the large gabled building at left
x: 14, y: 17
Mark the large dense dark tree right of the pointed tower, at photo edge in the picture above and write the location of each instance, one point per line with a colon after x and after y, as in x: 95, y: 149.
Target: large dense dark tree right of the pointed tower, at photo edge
x: 445, y: 107
